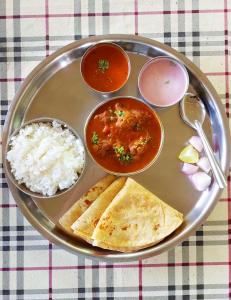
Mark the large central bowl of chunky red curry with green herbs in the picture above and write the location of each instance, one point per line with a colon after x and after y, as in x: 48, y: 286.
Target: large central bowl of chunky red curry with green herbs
x: 124, y: 135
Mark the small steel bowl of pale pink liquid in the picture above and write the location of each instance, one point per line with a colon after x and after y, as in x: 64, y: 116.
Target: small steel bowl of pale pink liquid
x: 163, y: 81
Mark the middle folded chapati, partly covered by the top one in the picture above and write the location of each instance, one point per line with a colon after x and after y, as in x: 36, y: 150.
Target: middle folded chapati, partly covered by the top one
x: 85, y: 225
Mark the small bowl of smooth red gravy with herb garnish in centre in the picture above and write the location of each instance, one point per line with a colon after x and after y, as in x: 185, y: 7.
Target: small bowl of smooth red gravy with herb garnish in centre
x: 105, y: 67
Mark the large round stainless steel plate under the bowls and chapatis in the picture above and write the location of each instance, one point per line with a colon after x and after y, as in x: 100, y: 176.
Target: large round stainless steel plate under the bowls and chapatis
x: 55, y: 89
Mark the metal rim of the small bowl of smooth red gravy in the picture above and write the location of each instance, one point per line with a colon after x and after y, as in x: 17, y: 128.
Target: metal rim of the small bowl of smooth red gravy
x: 95, y: 45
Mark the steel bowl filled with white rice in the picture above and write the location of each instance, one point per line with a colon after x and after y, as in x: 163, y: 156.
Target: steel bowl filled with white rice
x: 45, y: 157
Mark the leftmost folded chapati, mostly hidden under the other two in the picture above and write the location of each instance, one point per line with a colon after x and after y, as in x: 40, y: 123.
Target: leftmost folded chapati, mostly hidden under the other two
x: 84, y: 202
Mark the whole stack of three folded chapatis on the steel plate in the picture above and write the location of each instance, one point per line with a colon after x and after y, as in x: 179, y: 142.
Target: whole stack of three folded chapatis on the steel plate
x: 120, y: 214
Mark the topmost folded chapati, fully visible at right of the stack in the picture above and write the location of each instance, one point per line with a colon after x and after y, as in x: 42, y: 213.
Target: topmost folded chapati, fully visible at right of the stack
x: 134, y: 220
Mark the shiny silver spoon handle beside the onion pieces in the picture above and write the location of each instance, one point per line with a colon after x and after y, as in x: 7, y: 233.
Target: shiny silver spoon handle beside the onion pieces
x: 218, y: 174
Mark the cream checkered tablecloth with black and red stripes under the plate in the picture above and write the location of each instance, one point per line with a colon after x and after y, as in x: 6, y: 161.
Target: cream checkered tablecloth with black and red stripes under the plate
x: 31, y: 267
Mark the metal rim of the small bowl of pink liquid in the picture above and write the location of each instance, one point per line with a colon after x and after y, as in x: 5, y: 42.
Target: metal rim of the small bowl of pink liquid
x: 153, y: 60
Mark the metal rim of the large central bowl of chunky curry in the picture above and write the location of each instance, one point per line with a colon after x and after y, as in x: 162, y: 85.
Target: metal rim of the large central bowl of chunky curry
x: 155, y: 158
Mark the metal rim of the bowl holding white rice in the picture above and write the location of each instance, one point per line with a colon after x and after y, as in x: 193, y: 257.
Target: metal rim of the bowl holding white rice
x: 22, y: 187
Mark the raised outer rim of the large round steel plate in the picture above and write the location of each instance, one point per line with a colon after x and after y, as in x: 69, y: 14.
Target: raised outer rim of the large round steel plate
x: 157, y: 249
